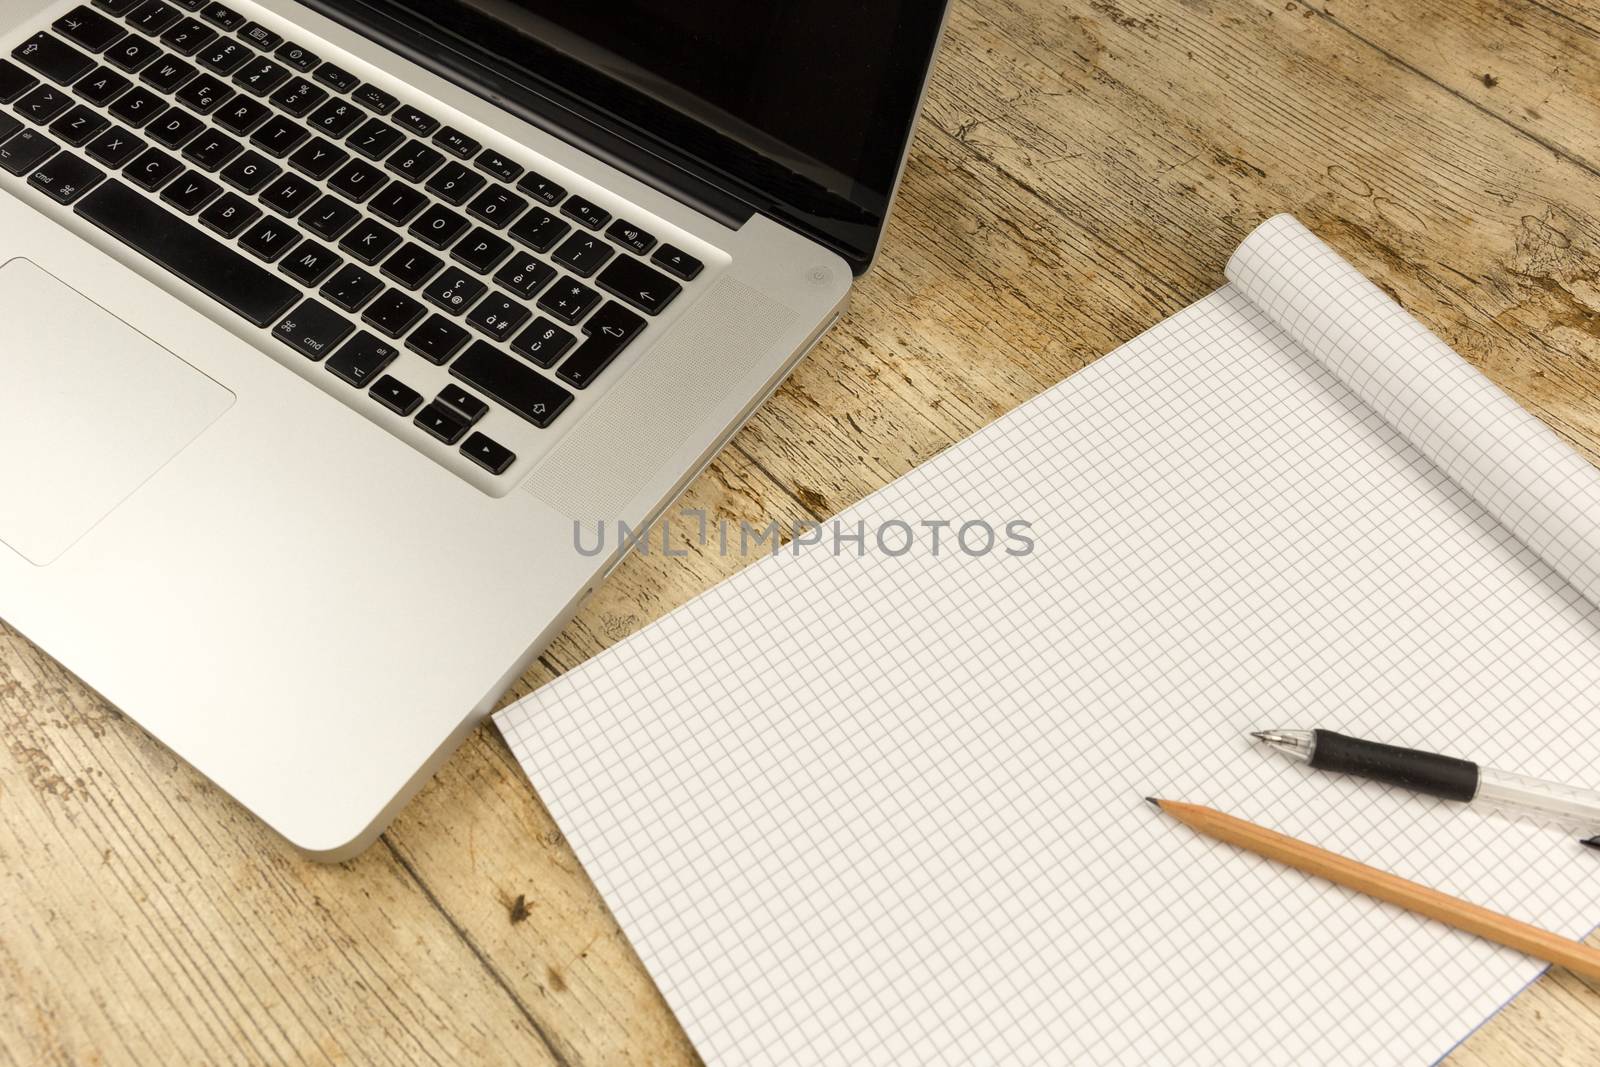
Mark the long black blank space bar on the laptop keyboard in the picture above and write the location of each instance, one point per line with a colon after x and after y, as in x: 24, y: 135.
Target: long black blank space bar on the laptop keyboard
x: 199, y: 260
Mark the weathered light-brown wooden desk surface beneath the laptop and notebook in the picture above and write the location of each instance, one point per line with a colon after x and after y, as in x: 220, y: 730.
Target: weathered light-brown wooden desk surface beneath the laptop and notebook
x: 1082, y: 172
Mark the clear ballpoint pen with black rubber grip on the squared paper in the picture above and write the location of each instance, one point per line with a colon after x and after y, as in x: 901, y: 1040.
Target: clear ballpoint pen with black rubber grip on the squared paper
x: 1438, y: 775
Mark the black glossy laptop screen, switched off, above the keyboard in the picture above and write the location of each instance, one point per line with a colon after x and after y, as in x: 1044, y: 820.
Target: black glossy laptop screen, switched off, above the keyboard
x: 799, y: 110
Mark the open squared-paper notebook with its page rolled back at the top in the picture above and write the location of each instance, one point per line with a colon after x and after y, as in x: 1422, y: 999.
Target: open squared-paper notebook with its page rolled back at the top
x: 871, y: 809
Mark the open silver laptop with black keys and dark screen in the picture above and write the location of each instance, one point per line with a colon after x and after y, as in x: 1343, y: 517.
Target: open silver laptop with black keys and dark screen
x: 329, y: 324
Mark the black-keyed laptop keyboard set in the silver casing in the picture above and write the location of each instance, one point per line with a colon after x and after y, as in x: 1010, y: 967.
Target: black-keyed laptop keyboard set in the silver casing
x: 356, y: 228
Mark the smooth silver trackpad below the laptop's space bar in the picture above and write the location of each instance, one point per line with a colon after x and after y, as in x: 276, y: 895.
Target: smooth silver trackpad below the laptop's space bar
x: 90, y: 409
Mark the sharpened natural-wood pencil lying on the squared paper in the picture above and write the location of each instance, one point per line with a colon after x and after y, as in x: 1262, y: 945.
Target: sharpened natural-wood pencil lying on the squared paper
x: 1415, y: 898
